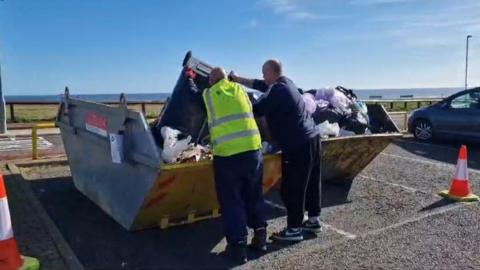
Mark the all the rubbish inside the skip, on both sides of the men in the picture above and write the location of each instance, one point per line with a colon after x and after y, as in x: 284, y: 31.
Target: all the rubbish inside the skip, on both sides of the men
x: 336, y: 112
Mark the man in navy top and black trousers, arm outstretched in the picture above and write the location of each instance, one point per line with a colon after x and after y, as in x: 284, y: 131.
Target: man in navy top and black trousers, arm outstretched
x: 293, y: 129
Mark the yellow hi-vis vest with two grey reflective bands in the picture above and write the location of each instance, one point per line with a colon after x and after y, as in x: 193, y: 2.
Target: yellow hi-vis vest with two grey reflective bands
x: 233, y: 128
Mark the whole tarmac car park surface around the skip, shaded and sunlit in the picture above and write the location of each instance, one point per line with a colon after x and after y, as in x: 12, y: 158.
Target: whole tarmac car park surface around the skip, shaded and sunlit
x: 389, y: 219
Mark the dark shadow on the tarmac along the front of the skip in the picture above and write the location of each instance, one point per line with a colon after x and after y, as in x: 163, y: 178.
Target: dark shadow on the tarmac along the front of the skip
x: 100, y: 243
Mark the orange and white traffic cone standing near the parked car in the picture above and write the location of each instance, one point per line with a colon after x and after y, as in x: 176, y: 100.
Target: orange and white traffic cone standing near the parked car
x: 460, y: 188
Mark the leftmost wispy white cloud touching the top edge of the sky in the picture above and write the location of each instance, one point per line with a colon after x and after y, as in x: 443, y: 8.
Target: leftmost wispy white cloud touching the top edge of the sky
x: 293, y: 10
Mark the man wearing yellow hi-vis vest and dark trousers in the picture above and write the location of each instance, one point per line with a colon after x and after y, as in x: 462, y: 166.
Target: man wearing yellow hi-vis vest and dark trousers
x: 237, y: 162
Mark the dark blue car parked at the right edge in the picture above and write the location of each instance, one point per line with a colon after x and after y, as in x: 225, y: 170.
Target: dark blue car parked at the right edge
x: 455, y: 117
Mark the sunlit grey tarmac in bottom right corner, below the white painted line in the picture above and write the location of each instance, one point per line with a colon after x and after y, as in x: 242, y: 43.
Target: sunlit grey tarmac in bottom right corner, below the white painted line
x: 448, y: 240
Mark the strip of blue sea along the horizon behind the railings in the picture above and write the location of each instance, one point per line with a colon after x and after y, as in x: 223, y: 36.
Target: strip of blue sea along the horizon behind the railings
x: 363, y: 94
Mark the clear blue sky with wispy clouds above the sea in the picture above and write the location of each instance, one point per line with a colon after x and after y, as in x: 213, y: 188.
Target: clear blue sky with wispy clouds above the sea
x: 108, y: 46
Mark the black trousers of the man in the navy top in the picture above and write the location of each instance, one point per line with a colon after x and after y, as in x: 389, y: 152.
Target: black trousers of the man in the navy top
x: 301, y: 182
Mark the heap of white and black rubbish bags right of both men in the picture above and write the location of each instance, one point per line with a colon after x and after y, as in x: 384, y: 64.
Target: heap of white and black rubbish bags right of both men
x: 337, y: 112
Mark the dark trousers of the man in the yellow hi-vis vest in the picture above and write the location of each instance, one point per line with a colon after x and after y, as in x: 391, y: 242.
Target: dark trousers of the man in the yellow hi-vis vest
x: 238, y: 180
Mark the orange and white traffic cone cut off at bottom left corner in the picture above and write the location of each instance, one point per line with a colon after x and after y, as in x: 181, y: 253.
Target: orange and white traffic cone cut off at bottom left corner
x: 10, y: 258
